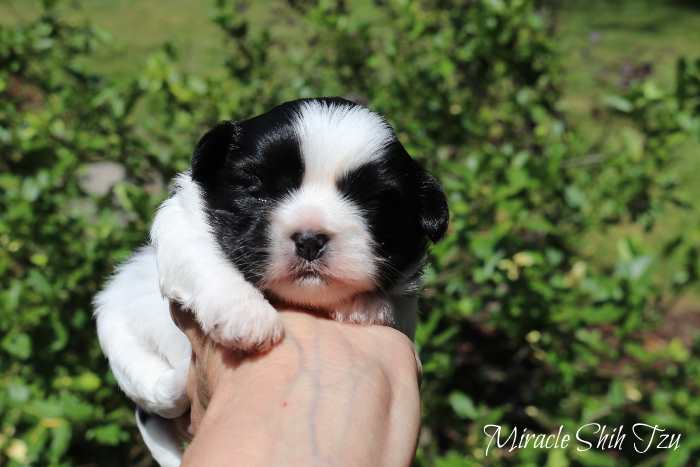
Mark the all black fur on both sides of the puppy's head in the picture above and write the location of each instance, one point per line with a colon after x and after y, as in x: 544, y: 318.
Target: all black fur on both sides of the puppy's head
x: 245, y: 168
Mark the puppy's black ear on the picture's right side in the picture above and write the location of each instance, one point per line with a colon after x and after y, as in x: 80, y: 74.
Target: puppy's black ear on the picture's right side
x: 433, y: 213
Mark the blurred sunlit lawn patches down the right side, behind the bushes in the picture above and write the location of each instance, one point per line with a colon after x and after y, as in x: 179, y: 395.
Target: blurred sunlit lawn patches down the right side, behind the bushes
x: 603, y: 44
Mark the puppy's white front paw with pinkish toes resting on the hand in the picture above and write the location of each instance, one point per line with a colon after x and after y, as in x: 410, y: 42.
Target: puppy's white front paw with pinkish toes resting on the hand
x: 249, y: 325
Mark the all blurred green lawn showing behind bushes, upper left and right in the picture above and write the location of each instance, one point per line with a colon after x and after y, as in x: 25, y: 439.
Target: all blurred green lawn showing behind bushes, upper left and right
x: 601, y: 42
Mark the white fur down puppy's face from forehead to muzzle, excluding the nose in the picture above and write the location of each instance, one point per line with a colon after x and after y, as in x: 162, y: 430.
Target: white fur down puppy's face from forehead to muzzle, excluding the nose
x: 334, y: 140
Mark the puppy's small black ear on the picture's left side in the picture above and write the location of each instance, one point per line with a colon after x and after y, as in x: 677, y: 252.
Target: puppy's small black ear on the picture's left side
x: 213, y: 149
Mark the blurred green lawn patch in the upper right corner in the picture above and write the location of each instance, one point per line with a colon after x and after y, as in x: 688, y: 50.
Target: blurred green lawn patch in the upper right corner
x: 600, y: 39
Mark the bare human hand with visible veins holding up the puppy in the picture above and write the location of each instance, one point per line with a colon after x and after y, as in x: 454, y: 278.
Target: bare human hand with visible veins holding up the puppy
x: 328, y: 393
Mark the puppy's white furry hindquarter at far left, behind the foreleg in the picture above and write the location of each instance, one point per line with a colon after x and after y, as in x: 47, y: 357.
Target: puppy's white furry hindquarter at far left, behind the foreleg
x: 149, y: 356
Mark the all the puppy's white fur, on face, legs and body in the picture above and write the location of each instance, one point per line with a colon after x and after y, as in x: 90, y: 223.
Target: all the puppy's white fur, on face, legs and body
x: 147, y: 353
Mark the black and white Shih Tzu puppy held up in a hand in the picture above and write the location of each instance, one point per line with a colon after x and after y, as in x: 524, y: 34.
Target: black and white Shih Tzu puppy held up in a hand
x: 314, y: 204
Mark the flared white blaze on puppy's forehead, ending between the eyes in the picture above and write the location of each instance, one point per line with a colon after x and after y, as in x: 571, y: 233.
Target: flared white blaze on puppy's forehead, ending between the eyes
x: 335, y: 139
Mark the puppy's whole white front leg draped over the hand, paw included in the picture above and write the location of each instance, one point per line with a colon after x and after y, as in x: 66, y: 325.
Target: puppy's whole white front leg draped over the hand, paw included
x: 194, y: 272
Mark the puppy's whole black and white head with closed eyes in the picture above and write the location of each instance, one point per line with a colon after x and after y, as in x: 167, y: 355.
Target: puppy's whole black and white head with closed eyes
x: 316, y: 201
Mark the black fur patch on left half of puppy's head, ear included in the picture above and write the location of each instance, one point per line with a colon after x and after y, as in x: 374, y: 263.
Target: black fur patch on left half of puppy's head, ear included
x: 243, y: 169
